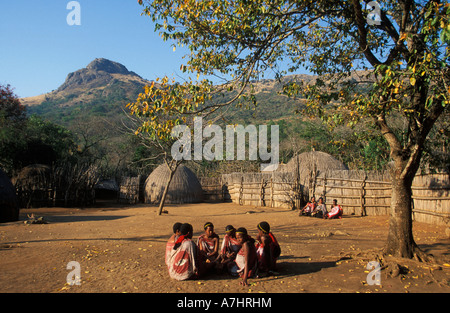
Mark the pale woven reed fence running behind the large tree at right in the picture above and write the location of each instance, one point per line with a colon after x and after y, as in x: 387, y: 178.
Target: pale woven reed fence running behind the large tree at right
x: 359, y: 192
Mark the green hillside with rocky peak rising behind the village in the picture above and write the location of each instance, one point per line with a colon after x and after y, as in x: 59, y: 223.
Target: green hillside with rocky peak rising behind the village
x: 91, y: 103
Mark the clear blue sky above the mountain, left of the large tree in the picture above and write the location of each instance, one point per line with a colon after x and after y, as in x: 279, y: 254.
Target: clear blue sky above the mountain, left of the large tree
x: 38, y: 48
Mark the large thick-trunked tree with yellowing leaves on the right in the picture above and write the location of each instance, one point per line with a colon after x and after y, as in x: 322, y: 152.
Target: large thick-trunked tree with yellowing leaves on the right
x: 400, y: 46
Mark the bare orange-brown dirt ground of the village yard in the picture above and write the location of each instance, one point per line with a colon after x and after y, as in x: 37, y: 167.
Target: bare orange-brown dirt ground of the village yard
x: 121, y: 249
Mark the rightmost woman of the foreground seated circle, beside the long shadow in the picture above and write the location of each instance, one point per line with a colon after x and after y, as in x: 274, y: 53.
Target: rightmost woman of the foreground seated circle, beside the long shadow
x: 268, y: 249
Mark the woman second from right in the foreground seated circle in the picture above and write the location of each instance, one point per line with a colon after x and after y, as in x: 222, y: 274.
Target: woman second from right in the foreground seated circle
x: 245, y: 264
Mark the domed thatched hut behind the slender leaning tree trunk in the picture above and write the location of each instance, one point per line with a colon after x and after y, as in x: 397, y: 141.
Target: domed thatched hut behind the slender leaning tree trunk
x: 184, y: 187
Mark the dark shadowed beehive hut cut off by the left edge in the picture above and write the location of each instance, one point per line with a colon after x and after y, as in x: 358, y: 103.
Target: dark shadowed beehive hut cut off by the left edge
x: 9, y: 207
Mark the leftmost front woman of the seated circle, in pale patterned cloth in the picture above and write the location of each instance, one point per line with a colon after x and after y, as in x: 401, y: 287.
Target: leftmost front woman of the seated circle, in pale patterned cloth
x: 182, y: 261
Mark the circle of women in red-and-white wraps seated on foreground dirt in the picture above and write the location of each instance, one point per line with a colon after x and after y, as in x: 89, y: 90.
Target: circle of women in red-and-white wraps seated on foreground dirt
x: 240, y: 254
